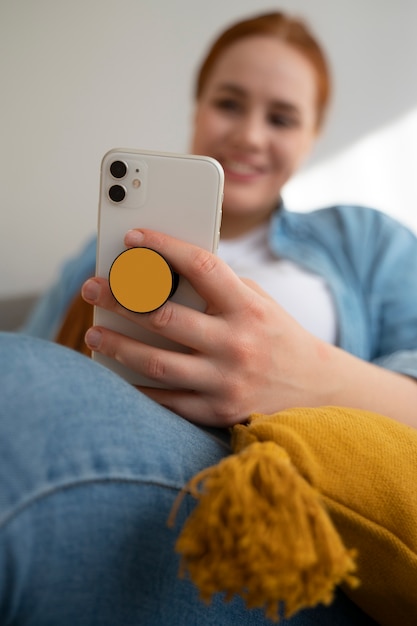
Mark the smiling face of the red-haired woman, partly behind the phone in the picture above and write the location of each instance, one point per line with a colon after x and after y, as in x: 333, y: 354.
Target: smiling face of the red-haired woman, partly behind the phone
x: 257, y: 116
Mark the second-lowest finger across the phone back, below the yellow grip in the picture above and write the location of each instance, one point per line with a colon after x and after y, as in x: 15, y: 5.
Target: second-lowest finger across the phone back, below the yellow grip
x: 165, y: 367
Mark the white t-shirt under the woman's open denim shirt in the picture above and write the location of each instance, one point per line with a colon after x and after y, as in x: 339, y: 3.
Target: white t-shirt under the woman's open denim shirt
x: 305, y: 296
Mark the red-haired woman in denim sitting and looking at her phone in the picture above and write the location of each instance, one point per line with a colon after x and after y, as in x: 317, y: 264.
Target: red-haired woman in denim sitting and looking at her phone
x: 320, y: 318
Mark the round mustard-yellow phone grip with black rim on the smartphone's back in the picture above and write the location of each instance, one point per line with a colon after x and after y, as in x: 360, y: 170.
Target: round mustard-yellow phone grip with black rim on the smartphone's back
x: 141, y: 280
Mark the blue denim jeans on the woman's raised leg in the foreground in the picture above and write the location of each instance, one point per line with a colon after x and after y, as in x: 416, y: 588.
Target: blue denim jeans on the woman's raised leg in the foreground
x: 89, y: 470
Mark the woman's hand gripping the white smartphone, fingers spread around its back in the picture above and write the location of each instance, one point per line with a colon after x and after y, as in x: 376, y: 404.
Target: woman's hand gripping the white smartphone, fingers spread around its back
x: 247, y: 354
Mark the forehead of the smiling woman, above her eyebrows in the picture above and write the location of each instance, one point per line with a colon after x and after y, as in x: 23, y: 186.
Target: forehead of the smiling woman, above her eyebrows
x: 267, y: 66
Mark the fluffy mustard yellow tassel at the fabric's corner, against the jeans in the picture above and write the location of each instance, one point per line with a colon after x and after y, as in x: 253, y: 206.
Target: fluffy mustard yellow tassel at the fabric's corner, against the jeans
x: 260, y: 531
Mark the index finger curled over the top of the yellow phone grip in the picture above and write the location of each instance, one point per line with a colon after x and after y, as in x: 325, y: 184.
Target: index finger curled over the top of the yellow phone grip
x: 213, y: 279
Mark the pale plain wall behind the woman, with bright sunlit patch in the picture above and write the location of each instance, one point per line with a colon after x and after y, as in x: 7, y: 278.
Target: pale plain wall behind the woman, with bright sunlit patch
x: 81, y: 77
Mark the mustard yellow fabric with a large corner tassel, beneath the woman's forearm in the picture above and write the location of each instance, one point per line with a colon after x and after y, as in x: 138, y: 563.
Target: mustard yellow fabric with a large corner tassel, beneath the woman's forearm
x: 310, y: 499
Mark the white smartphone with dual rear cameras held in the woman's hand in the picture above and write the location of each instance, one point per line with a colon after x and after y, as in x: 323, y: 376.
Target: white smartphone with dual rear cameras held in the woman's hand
x: 177, y: 194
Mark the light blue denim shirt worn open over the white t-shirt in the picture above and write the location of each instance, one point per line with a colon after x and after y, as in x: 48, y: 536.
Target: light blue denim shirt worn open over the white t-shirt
x: 368, y: 260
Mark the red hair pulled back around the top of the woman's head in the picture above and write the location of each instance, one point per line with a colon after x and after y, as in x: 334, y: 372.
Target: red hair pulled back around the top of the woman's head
x: 292, y: 31
